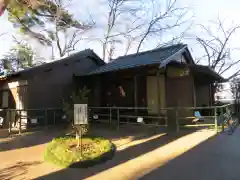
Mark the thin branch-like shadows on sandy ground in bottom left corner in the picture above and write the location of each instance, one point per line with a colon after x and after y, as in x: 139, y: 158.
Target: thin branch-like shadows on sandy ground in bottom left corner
x: 16, y: 170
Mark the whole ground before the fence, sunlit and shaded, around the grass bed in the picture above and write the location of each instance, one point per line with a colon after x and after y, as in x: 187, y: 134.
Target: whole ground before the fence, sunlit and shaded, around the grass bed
x: 141, y: 154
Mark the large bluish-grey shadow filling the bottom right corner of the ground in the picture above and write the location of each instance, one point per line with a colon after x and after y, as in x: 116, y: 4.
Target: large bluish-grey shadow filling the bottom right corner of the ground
x: 217, y: 158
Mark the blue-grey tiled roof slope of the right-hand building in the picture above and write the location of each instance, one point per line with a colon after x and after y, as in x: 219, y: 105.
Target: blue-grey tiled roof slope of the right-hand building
x: 156, y: 56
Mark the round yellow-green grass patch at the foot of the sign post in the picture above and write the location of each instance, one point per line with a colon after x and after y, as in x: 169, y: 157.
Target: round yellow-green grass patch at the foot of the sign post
x: 64, y: 152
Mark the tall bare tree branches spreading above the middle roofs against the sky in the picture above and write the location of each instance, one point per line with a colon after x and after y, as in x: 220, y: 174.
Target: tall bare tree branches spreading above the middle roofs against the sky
x: 130, y: 23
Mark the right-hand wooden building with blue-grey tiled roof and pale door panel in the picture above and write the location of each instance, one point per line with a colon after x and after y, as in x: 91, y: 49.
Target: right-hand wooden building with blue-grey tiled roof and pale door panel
x: 156, y: 79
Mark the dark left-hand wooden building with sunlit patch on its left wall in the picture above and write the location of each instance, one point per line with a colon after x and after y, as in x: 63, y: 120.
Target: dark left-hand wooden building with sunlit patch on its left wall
x: 46, y: 85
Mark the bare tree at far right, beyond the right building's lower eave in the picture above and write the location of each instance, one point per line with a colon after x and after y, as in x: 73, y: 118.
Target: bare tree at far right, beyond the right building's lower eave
x: 217, y: 48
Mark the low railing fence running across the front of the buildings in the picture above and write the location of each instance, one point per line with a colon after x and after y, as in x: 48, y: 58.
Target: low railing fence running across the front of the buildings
x: 174, y: 117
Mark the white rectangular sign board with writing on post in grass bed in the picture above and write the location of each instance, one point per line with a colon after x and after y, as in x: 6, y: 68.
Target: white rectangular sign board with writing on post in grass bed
x: 80, y: 114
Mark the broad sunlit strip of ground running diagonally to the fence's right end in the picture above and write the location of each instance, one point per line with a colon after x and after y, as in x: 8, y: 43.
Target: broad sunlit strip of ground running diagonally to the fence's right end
x: 146, y: 163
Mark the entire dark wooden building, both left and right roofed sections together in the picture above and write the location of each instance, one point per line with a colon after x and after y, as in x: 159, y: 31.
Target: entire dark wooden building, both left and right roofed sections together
x: 154, y: 80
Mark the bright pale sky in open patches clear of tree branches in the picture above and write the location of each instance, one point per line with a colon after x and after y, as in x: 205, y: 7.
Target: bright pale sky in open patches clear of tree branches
x: 203, y: 11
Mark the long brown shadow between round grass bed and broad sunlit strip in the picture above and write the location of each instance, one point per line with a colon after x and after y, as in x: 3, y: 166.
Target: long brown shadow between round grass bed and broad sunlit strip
x: 121, y: 156
